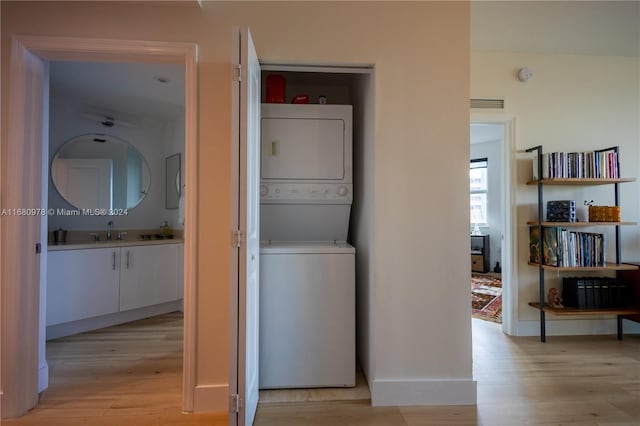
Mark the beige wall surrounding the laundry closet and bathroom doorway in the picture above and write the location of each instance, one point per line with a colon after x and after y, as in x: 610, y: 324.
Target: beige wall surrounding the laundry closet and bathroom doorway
x: 420, y: 51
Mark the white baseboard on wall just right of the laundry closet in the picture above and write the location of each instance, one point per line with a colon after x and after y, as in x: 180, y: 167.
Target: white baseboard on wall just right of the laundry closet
x: 423, y: 392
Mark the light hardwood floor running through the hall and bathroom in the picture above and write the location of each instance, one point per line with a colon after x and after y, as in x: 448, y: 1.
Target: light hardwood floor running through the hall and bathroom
x: 130, y: 375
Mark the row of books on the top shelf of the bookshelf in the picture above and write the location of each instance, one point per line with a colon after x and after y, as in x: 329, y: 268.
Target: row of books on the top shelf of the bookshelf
x: 582, y: 165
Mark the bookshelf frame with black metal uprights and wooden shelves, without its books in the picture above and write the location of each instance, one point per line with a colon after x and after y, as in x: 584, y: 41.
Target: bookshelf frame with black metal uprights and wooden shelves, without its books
x: 607, y: 266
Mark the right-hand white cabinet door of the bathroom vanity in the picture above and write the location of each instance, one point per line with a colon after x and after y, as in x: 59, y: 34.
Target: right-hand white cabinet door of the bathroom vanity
x: 148, y: 275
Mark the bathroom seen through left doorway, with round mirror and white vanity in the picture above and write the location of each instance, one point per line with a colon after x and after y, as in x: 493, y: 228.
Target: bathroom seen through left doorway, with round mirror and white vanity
x: 135, y: 126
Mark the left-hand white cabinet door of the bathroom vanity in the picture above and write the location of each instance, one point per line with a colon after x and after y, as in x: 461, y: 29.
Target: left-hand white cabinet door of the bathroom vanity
x: 81, y: 284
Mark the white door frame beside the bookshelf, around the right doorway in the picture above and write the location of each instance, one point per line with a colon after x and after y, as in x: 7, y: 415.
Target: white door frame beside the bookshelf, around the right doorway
x: 509, y: 229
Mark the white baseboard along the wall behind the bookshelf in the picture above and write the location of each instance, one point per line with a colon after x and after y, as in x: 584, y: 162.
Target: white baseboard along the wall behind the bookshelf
x: 576, y: 327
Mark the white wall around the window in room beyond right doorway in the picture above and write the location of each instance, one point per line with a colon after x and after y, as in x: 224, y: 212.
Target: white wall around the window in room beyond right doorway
x: 492, y: 151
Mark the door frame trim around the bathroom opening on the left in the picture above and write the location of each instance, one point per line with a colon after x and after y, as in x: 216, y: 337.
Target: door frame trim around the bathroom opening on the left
x: 27, y: 137
